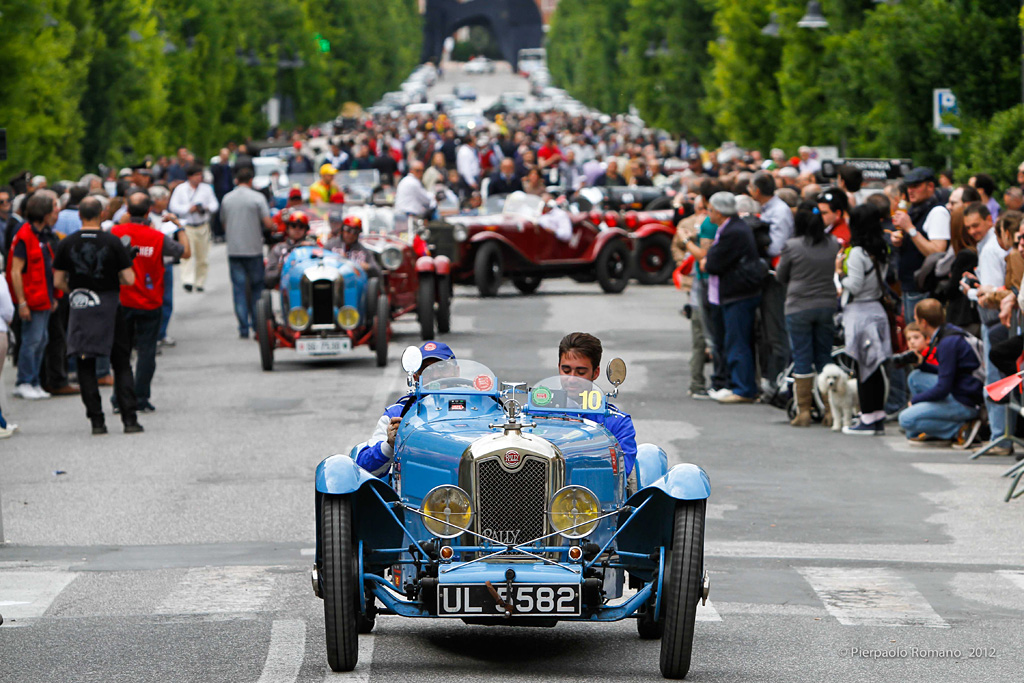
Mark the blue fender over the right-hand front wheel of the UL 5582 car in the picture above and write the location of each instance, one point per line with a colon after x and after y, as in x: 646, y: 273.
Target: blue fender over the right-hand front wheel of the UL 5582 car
x: 652, y: 528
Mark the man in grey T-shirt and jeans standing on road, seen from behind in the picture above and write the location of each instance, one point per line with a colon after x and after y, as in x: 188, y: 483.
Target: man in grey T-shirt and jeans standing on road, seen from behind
x: 246, y: 216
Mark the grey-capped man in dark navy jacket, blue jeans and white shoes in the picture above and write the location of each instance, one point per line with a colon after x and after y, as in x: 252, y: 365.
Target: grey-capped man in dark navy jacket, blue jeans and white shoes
x: 733, y: 265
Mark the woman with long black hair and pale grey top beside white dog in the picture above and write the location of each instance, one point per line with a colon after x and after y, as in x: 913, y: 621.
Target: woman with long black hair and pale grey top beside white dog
x: 863, y: 272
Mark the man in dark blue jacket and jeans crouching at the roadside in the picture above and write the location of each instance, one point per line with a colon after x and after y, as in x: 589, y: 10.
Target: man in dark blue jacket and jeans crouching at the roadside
x: 942, y: 405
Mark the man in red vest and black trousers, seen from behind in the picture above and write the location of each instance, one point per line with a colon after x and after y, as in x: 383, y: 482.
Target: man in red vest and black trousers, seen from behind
x: 144, y: 300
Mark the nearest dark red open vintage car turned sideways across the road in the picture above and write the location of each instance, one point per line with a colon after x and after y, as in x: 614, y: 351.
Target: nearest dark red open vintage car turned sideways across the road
x: 510, y: 240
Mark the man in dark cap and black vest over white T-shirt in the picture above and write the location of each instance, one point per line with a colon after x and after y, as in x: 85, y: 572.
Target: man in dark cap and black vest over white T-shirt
x: 923, y: 231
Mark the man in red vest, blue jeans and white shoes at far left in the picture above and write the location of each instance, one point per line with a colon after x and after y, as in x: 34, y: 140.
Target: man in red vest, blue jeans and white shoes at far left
x: 30, y: 273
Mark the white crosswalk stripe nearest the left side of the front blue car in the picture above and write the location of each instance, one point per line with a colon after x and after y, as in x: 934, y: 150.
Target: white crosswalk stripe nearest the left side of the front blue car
x: 220, y: 591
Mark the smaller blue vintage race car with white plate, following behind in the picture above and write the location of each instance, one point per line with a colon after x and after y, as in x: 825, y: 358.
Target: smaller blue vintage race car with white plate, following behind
x: 329, y: 306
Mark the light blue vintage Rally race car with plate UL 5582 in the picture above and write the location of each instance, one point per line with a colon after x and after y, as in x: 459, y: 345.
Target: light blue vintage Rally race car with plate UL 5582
x: 510, y: 506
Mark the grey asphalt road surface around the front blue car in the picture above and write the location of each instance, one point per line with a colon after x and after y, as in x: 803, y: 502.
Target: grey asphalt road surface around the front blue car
x: 183, y: 554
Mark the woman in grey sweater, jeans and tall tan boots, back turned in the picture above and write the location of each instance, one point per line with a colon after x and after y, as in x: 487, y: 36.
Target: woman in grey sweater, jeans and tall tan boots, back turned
x: 806, y: 270
